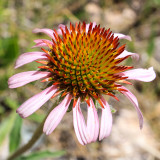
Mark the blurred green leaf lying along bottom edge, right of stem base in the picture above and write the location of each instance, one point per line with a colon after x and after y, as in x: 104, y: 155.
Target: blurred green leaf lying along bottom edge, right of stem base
x: 41, y: 155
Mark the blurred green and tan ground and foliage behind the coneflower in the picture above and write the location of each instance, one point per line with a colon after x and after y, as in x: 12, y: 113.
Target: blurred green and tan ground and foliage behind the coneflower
x: 138, y: 18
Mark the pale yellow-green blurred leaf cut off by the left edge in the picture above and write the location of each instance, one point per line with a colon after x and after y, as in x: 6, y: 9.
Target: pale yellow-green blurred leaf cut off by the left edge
x: 6, y: 126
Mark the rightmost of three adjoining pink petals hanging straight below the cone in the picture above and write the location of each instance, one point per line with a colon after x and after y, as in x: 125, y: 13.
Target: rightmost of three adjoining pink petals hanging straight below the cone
x: 106, y: 120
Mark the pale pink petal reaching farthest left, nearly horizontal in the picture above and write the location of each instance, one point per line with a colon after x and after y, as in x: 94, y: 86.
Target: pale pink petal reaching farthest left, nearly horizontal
x: 23, y: 78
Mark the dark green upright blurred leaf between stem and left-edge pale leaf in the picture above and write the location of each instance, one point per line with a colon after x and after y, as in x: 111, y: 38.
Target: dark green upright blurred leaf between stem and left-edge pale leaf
x: 15, y: 134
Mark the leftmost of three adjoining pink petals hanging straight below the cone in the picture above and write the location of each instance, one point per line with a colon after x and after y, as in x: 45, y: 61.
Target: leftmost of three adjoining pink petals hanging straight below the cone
x: 79, y: 124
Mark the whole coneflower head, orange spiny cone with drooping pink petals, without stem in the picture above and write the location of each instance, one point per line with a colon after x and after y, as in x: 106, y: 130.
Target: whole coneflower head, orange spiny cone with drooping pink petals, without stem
x: 82, y: 63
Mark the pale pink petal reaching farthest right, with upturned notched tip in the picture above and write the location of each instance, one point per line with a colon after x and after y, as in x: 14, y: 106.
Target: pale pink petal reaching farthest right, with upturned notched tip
x: 140, y: 74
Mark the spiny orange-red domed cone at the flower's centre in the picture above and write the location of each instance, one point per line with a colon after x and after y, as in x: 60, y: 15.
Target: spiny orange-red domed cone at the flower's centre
x: 85, y: 63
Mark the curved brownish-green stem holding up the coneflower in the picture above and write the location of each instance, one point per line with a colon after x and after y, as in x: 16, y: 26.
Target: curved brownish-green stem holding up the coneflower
x: 37, y: 134
